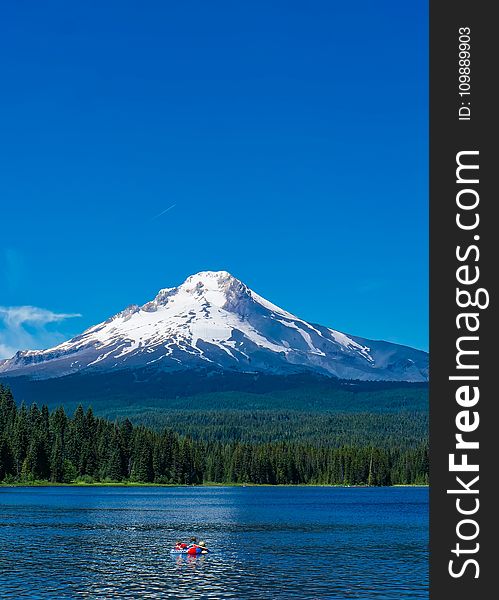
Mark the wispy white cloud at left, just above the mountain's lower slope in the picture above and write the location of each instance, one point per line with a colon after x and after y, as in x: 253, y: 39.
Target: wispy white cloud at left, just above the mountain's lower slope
x: 25, y: 327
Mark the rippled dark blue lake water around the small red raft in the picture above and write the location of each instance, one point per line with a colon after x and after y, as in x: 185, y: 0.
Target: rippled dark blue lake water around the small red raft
x: 286, y: 542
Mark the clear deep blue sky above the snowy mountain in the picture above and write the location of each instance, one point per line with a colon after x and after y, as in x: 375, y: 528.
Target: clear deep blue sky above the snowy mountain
x: 289, y: 137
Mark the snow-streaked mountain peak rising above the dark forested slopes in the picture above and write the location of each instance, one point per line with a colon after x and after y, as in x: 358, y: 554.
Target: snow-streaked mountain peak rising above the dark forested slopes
x: 215, y: 321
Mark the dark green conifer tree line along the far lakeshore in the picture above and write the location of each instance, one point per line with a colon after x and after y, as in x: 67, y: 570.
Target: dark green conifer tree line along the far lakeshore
x: 41, y: 445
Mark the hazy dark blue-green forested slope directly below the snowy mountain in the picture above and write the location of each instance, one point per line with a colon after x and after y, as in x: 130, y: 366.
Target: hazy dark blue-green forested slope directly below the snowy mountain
x: 126, y: 391
